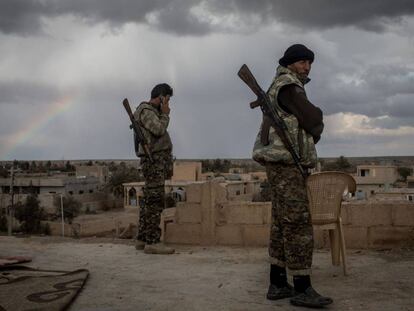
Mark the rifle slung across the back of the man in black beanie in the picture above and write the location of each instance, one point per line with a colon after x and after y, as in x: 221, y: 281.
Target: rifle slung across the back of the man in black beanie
x: 268, y: 110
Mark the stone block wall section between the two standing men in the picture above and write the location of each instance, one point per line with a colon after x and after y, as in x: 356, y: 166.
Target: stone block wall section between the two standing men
x: 208, y: 218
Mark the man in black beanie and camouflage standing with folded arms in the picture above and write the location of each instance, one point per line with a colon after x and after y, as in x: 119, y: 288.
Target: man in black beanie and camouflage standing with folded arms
x: 291, y: 236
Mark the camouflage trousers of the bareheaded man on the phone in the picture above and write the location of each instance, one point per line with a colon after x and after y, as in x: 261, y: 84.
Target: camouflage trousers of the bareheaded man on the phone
x: 153, y: 203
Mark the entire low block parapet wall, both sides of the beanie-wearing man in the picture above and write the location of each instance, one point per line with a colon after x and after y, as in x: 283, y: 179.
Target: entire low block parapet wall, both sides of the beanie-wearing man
x: 209, y: 219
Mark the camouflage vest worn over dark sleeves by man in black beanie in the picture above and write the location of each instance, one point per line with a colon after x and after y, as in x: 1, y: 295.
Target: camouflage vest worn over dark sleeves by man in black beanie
x: 303, y: 142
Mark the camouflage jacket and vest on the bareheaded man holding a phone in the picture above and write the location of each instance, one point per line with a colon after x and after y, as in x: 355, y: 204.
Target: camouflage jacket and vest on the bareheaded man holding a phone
x: 154, y: 126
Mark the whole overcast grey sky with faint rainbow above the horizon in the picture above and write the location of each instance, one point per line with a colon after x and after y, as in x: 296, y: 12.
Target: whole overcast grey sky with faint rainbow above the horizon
x: 66, y: 65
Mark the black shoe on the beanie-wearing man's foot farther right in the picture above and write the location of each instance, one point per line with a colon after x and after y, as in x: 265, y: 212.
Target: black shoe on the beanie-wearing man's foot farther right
x: 306, y: 296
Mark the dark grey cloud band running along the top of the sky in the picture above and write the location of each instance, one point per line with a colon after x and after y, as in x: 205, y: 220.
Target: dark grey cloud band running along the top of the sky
x: 179, y: 16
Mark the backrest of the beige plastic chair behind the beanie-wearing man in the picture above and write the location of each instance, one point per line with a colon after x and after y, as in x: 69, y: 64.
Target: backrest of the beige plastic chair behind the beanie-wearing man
x: 325, y: 192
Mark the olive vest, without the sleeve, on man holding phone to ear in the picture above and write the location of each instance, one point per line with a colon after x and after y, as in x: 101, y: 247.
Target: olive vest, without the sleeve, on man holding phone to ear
x: 156, y: 143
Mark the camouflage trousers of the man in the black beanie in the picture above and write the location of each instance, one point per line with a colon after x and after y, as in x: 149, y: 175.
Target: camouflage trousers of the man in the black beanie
x: 291, y: 234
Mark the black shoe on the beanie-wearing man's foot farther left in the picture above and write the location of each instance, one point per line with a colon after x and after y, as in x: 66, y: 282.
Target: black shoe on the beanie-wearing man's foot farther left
x: 279, y: 287
